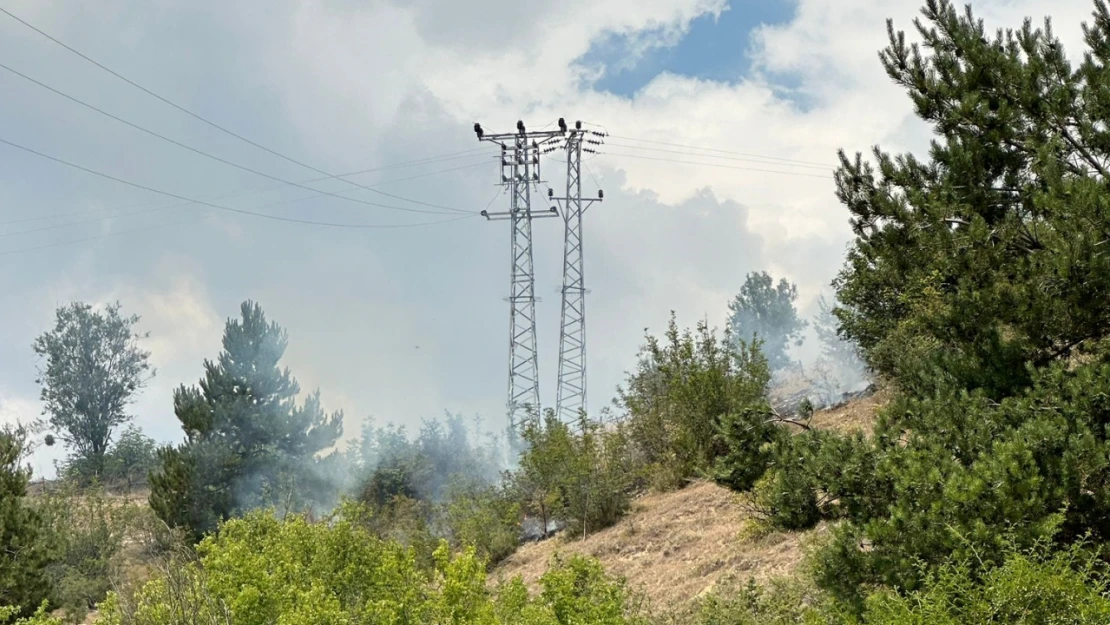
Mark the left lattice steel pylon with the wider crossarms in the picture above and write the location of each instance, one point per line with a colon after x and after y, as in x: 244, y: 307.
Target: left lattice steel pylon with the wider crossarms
x: 520, y: 173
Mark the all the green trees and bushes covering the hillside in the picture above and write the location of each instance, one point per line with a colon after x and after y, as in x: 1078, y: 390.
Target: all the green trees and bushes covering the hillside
x: 972, y: 291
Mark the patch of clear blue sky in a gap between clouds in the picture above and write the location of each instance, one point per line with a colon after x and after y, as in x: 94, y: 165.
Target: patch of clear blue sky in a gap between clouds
x: 713, y: 49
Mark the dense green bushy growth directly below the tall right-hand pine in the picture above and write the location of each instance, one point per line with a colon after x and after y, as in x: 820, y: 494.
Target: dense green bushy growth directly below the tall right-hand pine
x: 962, y: 475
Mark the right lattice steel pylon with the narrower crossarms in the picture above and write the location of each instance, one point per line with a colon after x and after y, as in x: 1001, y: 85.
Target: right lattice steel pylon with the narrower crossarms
x: 571, y: 402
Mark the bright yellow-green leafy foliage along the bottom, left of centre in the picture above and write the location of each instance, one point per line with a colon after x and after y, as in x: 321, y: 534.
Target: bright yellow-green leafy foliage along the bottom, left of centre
x: 261, y: 570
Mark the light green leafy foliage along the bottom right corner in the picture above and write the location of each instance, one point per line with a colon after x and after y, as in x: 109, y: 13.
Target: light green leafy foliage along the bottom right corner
x: 1034, y: 587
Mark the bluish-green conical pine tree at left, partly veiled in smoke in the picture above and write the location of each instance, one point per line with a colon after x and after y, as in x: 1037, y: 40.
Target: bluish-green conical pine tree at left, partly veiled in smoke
x: 248, y: 442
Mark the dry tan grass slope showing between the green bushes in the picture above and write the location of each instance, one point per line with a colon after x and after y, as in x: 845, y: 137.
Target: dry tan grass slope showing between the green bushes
x: 675, y: 547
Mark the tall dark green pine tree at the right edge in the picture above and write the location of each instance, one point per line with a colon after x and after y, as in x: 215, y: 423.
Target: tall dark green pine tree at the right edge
x: 990, y: 255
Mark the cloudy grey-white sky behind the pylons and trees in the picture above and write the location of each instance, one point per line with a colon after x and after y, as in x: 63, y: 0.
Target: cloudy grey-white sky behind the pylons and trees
x: 403, y: 324
